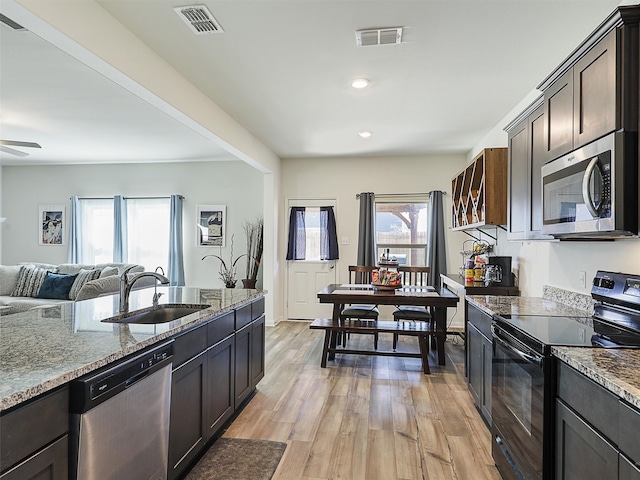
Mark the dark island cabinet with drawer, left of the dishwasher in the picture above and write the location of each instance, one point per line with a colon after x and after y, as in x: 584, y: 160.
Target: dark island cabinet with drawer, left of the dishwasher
x: 33, y: 448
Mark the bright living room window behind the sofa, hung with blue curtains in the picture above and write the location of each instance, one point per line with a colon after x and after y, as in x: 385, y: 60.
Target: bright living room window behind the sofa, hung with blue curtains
x: 147, y: 232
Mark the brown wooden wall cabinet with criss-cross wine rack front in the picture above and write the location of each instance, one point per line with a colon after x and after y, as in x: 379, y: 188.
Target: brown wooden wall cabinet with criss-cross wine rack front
x: 479, y: 192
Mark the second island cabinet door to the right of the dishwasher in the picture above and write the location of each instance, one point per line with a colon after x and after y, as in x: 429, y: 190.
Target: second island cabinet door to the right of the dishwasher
x: 220, y: 398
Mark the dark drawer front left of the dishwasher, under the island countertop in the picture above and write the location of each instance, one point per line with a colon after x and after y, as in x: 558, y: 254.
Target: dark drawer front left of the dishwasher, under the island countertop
x: 24, y: 430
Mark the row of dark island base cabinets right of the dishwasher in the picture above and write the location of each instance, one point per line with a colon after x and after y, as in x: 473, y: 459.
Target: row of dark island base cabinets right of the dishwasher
x: 216, y: 367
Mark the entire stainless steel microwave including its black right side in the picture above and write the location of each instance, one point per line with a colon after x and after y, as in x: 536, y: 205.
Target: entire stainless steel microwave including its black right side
x: 592, y: 192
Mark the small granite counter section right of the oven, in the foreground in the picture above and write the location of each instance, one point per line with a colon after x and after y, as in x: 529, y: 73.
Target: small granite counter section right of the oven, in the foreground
x: 614, y: 369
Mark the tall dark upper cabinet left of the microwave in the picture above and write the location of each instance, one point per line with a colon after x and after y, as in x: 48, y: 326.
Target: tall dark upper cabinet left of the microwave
x: 526, y: 157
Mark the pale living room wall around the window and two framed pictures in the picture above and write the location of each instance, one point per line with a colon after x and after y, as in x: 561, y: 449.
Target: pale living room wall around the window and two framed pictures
x: 234, y: 184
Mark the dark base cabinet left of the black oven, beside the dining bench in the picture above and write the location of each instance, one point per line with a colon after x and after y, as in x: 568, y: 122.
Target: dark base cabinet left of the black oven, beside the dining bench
x: 479, y: 355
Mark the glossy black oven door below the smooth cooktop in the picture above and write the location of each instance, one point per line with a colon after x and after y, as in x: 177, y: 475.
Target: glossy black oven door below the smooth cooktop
x: 518, y: 407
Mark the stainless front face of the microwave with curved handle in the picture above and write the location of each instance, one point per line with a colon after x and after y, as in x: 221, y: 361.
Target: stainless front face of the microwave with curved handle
x: 576, y: 190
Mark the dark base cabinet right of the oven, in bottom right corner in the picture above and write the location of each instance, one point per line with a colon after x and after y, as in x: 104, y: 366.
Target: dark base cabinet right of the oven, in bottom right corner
x: 596, y: 431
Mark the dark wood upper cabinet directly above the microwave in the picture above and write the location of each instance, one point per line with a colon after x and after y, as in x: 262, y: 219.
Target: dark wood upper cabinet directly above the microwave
x: 595, y: 90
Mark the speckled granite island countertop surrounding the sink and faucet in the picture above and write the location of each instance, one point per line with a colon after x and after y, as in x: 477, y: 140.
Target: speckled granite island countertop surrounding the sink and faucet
x: 47, y: 347
